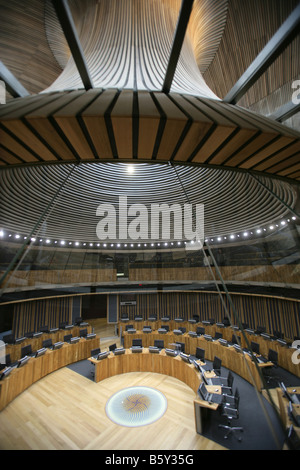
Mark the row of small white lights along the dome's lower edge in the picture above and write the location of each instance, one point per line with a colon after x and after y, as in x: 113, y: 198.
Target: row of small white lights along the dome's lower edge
x: 132, y: 245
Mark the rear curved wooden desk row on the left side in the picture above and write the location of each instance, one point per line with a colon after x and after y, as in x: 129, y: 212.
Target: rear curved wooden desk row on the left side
x: 36, y: 343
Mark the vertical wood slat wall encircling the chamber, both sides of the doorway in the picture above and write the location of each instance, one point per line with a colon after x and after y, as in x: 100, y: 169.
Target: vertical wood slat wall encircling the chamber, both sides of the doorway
x: 273, y: 313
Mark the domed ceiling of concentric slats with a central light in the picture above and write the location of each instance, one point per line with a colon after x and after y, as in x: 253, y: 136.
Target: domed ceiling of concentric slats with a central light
x: 68, y: 196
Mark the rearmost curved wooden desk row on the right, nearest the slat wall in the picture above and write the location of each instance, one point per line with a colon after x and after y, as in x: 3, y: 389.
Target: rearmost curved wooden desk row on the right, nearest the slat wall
x: 285, y: 353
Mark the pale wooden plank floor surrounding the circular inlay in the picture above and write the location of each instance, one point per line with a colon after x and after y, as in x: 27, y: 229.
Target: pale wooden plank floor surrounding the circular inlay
x: 66, y: 411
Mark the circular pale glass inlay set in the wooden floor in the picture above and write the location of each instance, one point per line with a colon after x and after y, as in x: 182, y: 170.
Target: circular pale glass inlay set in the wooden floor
x: 136, y: 406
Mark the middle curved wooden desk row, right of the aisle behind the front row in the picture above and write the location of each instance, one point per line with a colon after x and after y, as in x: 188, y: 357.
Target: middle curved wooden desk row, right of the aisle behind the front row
x: 237, y: 362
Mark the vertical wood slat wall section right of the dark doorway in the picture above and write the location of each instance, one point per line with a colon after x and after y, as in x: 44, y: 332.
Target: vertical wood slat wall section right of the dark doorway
x: 273, y: 313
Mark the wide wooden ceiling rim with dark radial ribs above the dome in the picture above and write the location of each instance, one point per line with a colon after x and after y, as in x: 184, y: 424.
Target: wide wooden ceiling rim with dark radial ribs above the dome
x: 104, y: 125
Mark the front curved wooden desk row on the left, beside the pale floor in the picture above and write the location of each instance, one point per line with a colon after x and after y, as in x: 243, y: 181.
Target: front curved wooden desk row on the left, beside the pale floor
x: 21, y: 378
